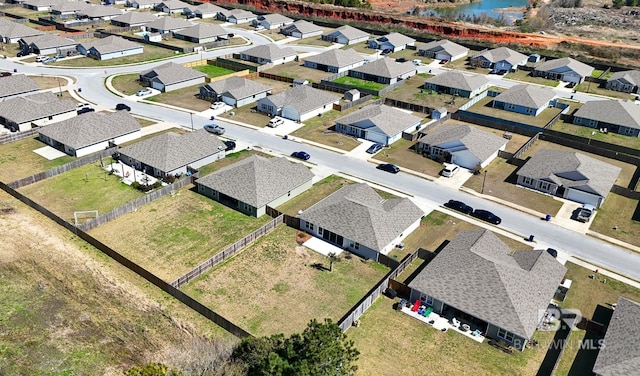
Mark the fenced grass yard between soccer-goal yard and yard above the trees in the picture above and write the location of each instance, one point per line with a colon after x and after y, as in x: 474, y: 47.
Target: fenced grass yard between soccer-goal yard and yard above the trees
x: 172, y: 235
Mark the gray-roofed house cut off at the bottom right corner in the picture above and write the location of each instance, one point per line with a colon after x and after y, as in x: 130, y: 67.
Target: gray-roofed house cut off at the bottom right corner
x: 620, y: 354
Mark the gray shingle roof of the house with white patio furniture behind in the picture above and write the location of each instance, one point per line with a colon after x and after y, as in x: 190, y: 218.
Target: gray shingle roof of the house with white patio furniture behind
x: 170, y: 151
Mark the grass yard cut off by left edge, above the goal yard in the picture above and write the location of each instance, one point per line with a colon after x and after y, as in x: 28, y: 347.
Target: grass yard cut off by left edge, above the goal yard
x: 17, y: 159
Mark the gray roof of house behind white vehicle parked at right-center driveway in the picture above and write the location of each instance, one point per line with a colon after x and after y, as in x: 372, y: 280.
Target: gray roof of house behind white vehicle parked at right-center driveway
x: 479, y: 143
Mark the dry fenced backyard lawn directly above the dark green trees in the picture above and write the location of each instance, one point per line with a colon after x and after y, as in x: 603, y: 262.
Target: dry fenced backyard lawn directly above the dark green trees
x: 284, y: 285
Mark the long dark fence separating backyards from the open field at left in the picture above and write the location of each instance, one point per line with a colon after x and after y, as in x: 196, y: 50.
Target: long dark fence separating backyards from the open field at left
x: 137, y: 269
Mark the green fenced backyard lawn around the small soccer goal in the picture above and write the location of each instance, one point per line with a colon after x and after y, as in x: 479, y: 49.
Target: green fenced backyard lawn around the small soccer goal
x: 85, y: 188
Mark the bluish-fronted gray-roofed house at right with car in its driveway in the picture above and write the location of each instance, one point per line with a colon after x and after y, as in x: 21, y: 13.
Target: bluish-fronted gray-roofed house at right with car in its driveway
x: 569, y: 175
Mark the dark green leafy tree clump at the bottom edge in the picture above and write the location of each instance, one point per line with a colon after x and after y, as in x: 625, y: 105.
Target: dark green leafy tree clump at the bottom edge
x: 321, y: 349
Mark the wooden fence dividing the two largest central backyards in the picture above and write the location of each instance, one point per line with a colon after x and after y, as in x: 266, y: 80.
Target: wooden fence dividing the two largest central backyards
x: 227, y: 252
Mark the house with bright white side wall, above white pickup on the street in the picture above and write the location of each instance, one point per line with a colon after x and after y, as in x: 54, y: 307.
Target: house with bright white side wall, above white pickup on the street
x: 298, y: 103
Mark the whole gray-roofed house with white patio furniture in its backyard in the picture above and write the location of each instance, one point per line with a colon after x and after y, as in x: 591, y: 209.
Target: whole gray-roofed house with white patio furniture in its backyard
x: 170, y: 153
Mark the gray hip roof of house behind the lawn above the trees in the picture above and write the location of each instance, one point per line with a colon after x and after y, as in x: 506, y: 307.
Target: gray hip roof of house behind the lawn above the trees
x: 358, y: 213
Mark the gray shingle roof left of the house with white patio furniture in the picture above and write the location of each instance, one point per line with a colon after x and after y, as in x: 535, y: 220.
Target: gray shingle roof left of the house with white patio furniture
x: 91, y: 128
